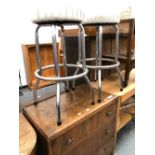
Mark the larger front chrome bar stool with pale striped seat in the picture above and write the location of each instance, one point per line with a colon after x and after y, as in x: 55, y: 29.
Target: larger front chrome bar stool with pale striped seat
x: 58, y: 17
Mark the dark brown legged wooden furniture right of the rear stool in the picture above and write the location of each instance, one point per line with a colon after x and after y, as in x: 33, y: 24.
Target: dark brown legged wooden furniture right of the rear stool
x: 126, y: 47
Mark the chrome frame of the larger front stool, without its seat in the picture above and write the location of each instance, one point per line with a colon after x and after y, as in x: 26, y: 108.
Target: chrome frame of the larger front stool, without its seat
x: 56, y: 65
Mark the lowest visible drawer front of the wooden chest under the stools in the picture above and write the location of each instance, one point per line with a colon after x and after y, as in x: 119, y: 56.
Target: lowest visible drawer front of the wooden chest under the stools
x: 106, y: 149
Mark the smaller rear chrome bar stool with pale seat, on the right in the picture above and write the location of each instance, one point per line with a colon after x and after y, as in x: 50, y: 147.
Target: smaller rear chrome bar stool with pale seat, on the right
x: 99, y: 22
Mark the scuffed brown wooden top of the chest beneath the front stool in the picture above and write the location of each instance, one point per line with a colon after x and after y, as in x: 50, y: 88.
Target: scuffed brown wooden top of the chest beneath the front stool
x: 75, y: 107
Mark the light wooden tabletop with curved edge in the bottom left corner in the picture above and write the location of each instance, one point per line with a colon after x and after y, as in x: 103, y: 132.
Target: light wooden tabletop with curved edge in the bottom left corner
x: 27, y: 136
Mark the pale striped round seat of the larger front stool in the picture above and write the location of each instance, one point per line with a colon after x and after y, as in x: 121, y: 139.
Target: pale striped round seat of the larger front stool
x: 54, y: 12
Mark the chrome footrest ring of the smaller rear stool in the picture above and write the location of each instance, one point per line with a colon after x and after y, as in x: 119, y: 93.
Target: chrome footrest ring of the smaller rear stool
x: 117, y: 63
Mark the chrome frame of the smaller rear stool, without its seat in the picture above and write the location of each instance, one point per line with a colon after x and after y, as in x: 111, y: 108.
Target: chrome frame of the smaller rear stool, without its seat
x: 99, y: 59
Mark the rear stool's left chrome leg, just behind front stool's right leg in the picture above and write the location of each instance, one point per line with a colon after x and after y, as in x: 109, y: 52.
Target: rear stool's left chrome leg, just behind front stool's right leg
x: 79, y: 58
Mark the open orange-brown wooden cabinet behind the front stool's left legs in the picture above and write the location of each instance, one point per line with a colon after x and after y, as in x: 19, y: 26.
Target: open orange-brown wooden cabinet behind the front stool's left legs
x: 46, y: 54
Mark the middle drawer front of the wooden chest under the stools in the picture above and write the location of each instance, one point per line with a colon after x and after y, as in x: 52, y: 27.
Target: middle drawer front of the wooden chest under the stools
x: 94, y: 142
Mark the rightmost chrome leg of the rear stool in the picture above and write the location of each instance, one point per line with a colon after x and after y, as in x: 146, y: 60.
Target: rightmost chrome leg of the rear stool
x: 116, y: 57
